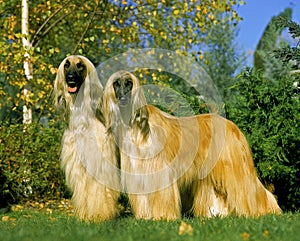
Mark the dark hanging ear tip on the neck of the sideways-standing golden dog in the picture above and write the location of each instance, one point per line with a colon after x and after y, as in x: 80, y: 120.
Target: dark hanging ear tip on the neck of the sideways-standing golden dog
x: 140, y: 120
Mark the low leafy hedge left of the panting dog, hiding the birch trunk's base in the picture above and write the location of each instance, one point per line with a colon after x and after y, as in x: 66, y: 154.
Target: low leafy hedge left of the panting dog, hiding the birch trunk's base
x: 29, y: 163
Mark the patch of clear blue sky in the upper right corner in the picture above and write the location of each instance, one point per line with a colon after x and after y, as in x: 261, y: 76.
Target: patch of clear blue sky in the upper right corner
x: 256, y: 14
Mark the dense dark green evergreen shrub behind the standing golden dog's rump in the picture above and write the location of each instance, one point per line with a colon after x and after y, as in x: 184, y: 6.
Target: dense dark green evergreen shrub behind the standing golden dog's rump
x: 269, y: 112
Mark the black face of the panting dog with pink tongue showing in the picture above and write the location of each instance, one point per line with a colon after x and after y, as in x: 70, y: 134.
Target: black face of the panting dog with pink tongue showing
x: 75, y: 74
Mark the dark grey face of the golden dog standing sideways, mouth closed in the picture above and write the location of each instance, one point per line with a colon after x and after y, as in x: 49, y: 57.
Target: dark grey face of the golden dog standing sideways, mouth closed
x: 123, y: 87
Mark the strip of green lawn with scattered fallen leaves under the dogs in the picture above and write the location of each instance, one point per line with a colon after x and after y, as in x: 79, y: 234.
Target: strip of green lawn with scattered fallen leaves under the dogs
x: 55, y: 225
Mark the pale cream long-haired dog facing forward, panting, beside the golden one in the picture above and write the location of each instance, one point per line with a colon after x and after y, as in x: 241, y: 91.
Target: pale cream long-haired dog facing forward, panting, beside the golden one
x: 89, y: 156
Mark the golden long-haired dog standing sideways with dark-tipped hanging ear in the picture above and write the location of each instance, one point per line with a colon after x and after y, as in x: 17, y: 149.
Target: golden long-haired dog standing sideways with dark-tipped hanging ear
x: 199, y: 165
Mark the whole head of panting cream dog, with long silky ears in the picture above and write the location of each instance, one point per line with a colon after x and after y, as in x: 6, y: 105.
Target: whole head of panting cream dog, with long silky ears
x: 77, y: 85
